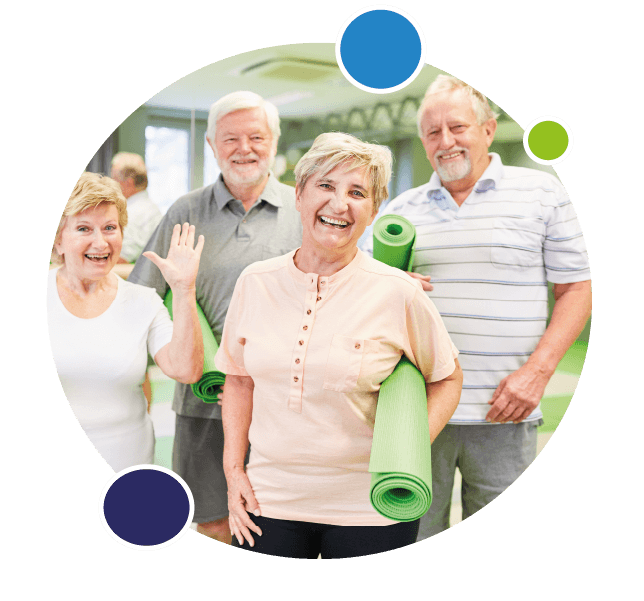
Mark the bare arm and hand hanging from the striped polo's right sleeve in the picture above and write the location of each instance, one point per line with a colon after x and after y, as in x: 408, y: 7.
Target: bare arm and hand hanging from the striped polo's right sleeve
x: 519, y: 393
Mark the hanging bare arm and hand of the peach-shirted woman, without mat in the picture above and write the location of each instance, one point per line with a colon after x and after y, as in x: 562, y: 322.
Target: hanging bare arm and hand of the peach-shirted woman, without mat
x: 236, y: 412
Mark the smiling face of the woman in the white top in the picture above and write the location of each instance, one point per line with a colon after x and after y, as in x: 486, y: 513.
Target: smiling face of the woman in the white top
x: 90, y: 242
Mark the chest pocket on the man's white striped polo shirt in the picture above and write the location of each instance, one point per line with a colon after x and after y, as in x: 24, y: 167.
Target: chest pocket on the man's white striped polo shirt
x: 517, y: 243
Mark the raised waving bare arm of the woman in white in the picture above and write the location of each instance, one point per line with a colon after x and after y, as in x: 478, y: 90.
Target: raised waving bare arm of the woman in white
x: 182, y: 358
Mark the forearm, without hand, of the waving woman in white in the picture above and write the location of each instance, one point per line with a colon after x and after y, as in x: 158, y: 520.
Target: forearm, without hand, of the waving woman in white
x: 185, y: 351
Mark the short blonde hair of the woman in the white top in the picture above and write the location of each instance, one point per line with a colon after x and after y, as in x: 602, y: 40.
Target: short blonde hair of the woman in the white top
x: 91, y: 190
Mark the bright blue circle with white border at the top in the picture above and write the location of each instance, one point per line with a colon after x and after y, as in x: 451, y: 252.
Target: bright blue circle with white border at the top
x: 380, y: 49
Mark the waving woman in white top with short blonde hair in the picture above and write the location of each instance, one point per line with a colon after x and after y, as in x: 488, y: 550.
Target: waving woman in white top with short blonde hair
x: 101, y: 327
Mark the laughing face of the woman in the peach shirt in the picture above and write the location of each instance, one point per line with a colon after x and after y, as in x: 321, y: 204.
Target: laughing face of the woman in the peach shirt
x: 336, y: 209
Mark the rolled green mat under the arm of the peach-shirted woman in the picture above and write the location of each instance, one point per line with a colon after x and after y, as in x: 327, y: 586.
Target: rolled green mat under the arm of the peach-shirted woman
x: 400, y: 464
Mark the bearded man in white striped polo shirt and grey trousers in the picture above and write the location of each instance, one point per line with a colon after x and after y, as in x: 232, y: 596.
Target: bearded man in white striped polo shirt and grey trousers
x: 491, y: 237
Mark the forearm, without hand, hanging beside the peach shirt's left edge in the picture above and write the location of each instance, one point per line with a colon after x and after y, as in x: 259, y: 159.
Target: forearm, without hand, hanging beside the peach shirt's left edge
x: 236, y: 413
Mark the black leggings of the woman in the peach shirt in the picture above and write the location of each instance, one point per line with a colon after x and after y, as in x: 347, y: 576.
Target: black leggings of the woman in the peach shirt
x: 304, y: 540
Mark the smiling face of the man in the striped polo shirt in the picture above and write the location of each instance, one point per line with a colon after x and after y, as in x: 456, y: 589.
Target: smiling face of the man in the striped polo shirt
x: 456, y: 145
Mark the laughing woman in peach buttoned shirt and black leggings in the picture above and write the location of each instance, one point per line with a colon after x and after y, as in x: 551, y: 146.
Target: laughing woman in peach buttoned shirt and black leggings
x: 308, y: 339
